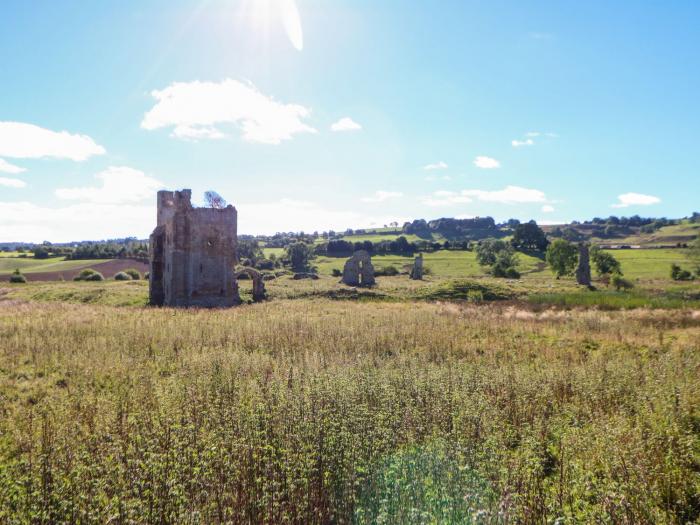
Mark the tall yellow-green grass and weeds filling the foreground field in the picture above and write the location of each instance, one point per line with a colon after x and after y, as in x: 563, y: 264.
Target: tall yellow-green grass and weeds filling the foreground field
x: 337, y: 412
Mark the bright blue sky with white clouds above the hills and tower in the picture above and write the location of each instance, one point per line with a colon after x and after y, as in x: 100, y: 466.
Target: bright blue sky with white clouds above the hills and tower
x: 317, y: 114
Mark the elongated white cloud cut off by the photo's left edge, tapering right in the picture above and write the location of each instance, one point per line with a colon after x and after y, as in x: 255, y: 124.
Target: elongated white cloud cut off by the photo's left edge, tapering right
x: 27, y: 141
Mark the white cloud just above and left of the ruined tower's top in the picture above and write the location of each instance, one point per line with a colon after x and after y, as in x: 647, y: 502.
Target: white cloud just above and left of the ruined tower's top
x: 119, y: 185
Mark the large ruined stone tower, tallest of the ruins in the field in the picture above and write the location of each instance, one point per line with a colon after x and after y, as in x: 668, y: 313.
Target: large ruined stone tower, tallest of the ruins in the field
x: 193, y: 253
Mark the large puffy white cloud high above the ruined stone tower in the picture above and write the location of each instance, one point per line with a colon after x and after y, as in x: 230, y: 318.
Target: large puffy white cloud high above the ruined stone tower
x: 195, y: 108
